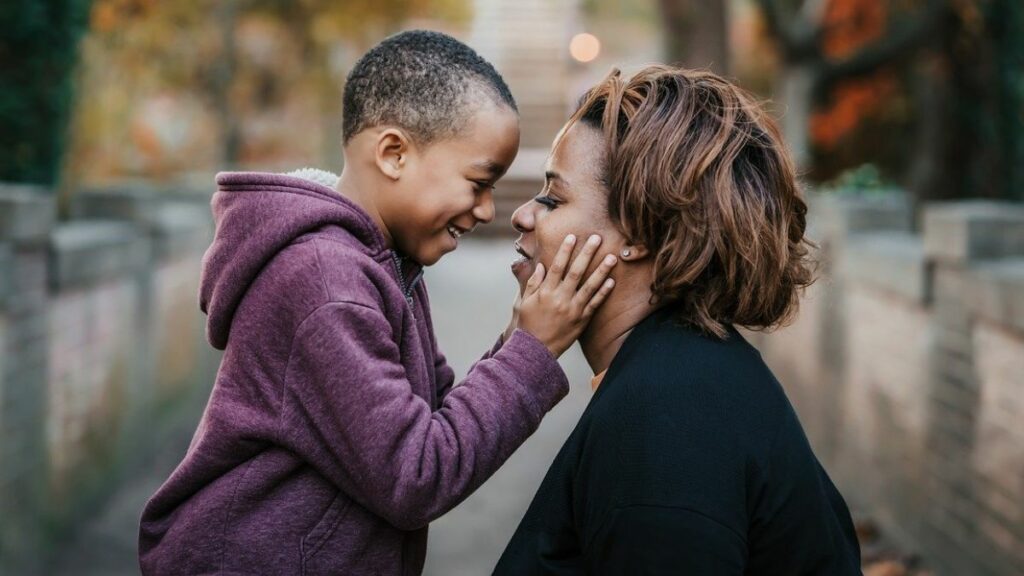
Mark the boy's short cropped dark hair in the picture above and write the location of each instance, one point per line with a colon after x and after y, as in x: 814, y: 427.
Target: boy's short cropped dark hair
x: 421, y: 81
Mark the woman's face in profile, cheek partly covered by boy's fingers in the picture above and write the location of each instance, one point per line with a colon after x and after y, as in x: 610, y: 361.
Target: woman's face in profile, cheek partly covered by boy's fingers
x: 574, y: 201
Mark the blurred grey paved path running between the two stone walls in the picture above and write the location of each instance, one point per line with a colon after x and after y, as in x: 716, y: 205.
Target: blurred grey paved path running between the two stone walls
x: 472, y: 293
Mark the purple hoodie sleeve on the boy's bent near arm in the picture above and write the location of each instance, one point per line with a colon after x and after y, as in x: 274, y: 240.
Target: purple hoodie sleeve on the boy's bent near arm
x: 351, y: 412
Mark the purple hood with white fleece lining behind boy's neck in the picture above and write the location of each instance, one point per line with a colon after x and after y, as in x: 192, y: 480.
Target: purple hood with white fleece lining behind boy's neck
x: 258, y: 216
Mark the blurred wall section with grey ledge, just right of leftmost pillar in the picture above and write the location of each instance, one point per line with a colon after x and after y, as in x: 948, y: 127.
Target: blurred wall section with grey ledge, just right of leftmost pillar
x: 100, y: 385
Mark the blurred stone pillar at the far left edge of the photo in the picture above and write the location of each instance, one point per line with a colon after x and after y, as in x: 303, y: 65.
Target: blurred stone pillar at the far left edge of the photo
x: 27, y: 217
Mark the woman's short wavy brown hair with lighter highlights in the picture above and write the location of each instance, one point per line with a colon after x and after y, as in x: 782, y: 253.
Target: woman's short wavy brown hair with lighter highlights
x: 697, y: 172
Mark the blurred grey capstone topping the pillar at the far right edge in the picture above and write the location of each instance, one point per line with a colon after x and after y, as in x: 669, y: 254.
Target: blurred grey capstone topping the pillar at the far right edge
x: 960, y: 232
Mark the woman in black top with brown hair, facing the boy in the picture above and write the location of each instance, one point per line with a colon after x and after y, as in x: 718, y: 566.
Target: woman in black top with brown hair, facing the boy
x: 690, y: 460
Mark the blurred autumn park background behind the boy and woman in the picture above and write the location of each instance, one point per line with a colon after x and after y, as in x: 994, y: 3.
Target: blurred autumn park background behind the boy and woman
x: 907, y: 363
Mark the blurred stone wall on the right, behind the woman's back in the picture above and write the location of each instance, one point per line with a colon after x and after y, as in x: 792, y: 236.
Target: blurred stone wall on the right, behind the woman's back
x: 907, y: 367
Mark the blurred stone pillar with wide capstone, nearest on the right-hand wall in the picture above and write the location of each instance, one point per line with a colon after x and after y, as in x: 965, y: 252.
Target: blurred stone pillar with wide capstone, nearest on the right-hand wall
x: 959, y: 237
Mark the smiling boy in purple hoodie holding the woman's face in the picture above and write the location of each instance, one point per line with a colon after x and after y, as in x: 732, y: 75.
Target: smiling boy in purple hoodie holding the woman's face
x: 333, y: 434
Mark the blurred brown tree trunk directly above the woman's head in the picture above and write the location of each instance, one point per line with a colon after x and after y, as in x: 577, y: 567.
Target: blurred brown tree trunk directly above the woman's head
x: 697, y: 33
